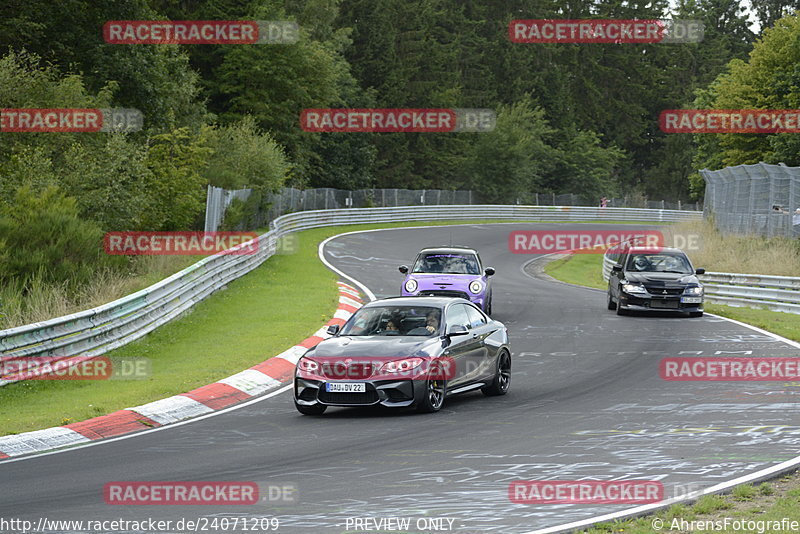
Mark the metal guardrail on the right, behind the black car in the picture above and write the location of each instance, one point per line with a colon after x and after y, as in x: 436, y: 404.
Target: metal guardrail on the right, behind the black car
x: 775, y: 293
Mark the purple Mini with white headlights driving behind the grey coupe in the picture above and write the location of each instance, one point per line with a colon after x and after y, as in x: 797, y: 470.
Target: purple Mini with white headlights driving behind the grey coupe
x: 449, y: 272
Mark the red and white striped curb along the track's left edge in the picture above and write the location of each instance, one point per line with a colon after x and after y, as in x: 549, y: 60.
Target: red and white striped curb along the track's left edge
x: 267, y: 376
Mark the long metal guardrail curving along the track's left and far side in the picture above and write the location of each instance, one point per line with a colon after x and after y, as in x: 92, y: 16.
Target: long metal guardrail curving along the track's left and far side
x: 87, y: 334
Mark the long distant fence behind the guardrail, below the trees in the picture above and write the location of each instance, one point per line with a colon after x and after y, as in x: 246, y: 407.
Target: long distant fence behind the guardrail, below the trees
x: 246, y: 210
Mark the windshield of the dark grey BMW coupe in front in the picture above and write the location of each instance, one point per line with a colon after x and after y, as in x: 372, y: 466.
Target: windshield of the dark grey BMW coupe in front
x: 394, y: 321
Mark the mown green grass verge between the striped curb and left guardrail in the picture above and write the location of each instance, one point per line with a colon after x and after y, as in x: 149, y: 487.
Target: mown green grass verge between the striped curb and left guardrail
x: 258, y: 316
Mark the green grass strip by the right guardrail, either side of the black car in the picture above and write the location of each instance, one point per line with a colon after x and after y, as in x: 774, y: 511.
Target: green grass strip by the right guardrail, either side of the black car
x: 585, y: 270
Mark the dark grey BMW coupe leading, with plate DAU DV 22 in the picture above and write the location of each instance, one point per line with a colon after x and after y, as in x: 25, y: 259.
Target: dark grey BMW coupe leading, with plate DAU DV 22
x: 405, y: 351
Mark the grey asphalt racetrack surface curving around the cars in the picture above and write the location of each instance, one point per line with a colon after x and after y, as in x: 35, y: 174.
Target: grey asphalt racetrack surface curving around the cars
x: 586, y: 401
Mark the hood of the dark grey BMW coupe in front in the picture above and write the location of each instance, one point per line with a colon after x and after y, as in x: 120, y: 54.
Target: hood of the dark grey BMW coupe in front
x: 376, y: 346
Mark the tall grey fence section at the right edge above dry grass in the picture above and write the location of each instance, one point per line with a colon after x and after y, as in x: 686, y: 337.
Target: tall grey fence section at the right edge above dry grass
x: 758, y: 199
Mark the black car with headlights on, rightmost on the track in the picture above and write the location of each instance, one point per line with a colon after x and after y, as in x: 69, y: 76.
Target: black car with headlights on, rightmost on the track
x: 645, y: 279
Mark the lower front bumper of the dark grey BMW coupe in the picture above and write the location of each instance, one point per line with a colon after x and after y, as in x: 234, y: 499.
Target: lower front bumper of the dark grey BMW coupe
x: 390, y: 393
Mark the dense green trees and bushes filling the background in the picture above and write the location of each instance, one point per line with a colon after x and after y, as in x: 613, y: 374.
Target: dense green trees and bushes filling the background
x: 572, y: 118
